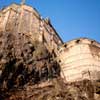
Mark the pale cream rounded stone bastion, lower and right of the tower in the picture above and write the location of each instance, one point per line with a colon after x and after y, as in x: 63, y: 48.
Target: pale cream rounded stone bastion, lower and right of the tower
x: 80, y: 59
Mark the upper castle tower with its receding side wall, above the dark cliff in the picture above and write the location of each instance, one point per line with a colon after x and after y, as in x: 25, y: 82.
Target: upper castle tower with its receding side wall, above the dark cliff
x: 25, y: 19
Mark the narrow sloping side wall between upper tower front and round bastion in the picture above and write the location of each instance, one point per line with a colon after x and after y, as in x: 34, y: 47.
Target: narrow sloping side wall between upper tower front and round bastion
x: 51, y: 38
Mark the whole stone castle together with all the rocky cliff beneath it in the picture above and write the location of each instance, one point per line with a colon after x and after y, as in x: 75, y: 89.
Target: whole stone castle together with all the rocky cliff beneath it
x: 30, y: 62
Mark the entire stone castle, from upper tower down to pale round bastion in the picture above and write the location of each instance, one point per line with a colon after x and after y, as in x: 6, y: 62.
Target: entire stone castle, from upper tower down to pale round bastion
x: 78, y: 59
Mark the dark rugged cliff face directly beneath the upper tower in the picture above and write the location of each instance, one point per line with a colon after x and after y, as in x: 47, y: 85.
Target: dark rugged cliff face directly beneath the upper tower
x: 22, y: 61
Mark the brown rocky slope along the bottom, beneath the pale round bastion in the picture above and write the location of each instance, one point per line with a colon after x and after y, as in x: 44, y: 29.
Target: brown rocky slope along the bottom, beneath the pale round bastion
x: 56, y: 89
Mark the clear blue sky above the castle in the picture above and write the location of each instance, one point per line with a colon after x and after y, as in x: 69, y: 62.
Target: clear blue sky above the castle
x: 71, y: 18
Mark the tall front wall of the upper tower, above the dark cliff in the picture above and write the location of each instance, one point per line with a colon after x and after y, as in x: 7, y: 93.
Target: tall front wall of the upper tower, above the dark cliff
x: 20, y: 19
